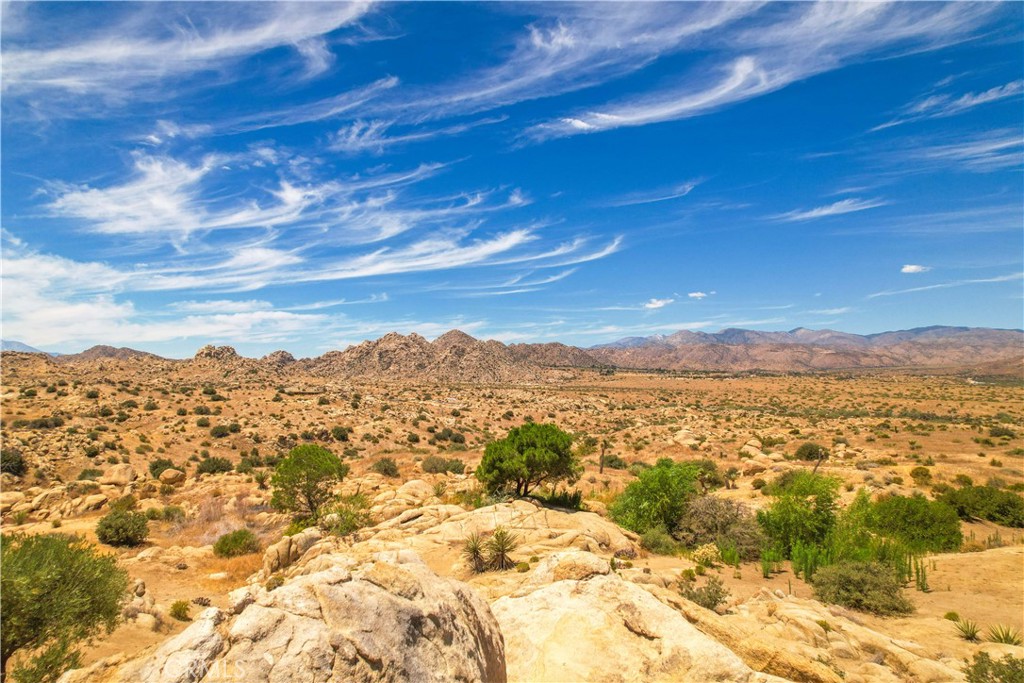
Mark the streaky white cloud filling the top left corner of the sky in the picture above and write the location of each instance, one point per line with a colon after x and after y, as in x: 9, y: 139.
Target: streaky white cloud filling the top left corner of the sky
x: 142, y: 50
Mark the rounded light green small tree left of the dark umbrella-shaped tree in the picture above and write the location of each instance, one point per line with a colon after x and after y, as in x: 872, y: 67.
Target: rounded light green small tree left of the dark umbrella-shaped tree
x: 305, y: 481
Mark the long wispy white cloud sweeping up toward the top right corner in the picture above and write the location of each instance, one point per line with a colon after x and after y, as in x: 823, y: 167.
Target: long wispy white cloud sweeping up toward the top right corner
x: 777, y: 50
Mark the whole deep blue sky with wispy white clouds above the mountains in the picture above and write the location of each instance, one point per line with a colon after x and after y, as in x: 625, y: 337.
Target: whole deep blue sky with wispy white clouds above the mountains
x: 309, y: 176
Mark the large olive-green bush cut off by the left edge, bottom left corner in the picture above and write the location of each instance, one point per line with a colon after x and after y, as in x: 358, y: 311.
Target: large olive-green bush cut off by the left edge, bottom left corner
x: 58, y: 592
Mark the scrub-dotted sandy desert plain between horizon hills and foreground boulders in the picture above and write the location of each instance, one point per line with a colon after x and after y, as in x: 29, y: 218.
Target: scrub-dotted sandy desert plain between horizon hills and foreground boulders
x: 744, y: 495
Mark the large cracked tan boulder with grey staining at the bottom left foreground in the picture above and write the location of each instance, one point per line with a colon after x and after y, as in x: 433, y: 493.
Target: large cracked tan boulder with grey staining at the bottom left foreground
x: 379, y: 622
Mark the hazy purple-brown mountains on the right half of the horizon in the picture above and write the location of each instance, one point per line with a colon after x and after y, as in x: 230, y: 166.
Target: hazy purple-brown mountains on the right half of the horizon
x: 802, y: 350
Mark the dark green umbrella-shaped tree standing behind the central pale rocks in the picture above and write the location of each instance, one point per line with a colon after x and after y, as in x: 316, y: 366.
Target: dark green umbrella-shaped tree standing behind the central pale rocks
x: 530, y: 456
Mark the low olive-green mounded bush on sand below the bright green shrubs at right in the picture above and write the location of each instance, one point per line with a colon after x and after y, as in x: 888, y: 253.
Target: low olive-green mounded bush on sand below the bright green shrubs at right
x: 868, y: 587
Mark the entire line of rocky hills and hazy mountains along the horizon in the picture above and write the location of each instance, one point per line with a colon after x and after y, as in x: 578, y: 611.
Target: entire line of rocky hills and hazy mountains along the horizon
x: 456, y: 357
